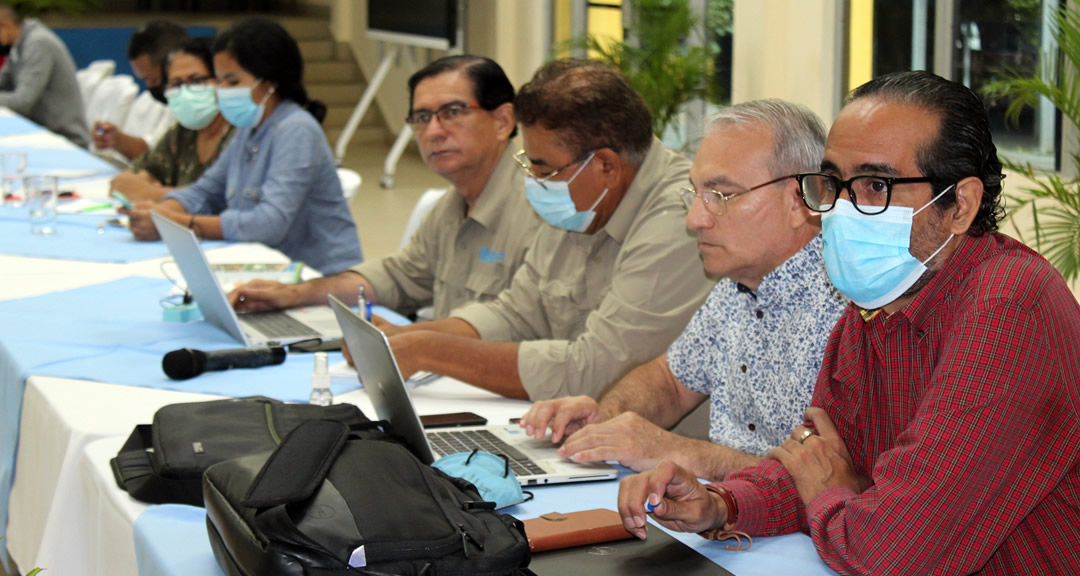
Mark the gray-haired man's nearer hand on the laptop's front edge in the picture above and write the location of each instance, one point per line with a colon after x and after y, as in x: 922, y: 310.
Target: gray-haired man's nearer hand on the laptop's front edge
x: 628, y: 438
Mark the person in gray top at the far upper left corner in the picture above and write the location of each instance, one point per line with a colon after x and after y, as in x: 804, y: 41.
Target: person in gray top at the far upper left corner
x: 38, y: 79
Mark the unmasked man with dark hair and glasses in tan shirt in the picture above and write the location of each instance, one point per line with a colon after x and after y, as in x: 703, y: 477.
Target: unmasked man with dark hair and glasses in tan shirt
x: 468, y: 248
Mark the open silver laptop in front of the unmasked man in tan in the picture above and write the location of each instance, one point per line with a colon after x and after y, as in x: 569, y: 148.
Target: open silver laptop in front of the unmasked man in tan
x: 250, y: 329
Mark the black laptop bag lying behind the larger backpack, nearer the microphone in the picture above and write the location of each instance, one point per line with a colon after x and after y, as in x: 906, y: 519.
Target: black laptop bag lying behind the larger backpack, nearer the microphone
x: 164, y: 463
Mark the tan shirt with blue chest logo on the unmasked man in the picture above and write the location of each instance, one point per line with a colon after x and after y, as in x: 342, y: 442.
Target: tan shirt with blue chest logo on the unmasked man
x: 453, y: 259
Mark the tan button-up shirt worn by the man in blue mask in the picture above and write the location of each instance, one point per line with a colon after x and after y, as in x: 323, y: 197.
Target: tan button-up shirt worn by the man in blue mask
x: 589, y: 309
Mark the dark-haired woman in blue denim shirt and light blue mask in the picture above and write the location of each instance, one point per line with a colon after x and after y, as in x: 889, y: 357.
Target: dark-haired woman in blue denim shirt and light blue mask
x: 276, y: 182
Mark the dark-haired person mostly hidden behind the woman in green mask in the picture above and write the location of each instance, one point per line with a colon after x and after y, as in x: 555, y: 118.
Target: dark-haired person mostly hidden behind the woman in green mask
x: 146, y: 51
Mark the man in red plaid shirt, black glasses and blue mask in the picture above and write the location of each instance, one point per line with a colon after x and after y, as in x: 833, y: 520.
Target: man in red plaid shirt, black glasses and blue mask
x: 944, y: 435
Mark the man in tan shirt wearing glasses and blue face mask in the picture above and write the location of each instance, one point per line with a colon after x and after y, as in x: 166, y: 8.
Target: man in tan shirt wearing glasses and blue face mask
x: 611, y: 280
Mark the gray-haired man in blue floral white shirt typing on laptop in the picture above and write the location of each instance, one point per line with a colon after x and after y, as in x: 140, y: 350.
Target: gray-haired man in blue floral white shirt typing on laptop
x: 757, y: 345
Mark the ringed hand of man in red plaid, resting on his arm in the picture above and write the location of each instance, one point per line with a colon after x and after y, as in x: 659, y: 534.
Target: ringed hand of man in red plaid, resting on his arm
x: 818, y: 461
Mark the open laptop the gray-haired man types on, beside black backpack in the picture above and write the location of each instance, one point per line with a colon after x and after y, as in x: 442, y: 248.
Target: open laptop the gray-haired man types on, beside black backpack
x: 534, y: 462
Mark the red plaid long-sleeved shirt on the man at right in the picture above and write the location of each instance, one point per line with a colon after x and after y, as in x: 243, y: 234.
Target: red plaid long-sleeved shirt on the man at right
x: 964, y: 410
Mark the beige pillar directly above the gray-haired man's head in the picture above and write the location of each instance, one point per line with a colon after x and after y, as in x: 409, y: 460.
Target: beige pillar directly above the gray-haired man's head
x: 788, y: 49
